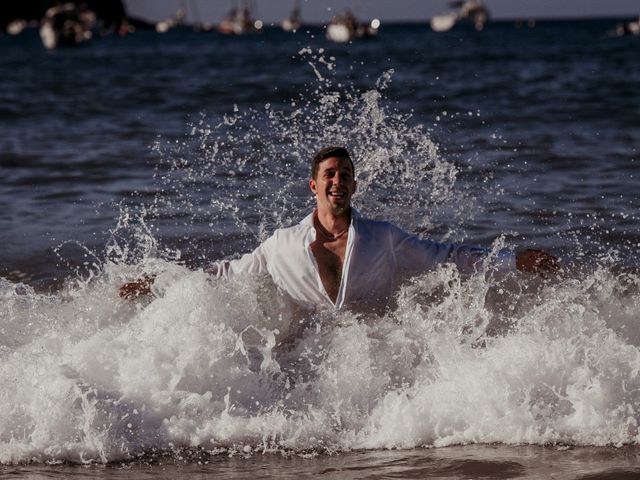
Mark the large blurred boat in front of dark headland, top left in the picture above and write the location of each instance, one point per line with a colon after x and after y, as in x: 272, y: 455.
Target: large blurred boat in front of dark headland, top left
x: 67, y: 24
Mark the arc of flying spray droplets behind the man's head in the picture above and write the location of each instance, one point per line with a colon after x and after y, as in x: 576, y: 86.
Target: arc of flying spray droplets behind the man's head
x: 246, y: 175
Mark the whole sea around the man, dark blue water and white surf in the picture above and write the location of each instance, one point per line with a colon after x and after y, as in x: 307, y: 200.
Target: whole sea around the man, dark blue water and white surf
x: 159, y: 153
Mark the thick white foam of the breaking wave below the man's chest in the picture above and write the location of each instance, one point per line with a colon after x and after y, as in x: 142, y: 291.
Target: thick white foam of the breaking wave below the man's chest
x: 93, y: 378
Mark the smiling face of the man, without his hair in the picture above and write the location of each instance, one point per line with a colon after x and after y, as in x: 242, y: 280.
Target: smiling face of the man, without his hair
x: 334, y: 185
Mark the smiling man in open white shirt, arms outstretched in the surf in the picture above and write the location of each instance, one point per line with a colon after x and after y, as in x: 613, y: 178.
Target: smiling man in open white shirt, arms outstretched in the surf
x: 335, y: 257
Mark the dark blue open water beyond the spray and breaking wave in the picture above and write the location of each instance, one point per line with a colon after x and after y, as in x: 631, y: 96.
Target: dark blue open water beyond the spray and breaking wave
x: 551, y: 114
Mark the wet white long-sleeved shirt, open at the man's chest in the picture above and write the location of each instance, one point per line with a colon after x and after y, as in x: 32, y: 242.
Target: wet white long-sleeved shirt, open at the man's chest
x: 377, y: 253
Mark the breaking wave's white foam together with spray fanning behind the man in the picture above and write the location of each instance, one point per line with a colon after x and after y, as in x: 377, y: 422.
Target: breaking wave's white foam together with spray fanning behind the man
x: 208, y: 364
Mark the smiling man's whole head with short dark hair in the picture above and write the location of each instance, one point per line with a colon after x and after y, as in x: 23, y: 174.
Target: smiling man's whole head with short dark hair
x: 332, y: 180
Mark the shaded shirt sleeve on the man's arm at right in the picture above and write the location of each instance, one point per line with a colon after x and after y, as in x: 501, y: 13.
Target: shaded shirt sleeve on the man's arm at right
x: 413, y: 253
